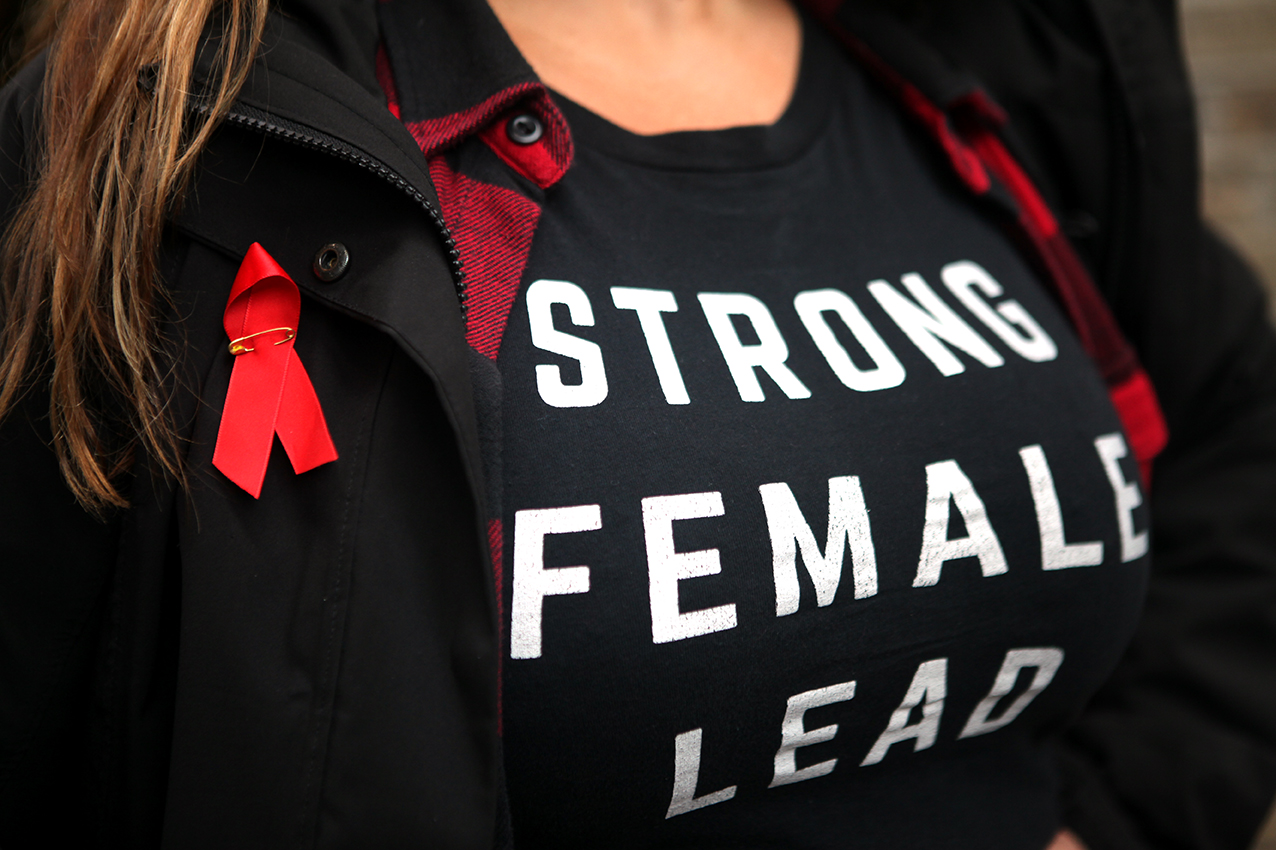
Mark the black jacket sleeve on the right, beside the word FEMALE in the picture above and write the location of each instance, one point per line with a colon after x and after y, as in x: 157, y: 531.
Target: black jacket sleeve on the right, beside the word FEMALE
x: 1180, y: 749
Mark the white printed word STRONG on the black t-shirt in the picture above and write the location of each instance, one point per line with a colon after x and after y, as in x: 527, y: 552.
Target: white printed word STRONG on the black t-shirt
x: 924, y: 318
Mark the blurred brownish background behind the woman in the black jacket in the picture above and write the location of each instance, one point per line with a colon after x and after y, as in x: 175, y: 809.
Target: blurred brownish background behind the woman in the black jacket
x: 1232, y: 53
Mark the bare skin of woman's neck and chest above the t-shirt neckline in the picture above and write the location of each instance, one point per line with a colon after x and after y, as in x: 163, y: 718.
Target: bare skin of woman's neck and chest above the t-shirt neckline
x: 663, y: 66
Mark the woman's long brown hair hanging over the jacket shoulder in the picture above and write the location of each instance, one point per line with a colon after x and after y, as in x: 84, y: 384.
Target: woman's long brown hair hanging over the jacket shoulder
x: 118, y: 145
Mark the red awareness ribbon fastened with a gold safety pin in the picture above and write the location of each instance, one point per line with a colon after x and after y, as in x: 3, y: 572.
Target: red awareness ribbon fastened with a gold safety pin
x: 270, y: 392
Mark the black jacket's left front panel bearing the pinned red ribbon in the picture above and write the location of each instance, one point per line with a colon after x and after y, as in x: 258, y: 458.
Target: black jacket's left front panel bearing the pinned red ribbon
x: 359, y: 615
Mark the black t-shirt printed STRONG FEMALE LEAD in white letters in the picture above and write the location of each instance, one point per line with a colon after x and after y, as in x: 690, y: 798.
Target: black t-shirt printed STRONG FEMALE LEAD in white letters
x: 817, y: 520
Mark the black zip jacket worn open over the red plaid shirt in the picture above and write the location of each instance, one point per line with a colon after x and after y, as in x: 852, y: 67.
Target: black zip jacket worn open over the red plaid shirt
x: 320, y: 667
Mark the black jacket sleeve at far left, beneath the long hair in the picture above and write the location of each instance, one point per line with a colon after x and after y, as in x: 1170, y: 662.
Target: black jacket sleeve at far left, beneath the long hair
x: 56, y: 569
